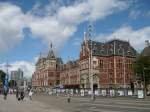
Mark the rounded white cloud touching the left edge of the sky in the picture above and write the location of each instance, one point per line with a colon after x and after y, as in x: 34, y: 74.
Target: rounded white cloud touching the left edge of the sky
x: 11, y: 23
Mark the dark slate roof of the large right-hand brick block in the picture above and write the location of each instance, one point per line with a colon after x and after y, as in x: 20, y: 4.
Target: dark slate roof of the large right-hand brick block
x: 113, y: 47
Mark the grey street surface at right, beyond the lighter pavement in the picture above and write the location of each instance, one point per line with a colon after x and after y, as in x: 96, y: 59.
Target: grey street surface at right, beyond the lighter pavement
x: 79, y: 104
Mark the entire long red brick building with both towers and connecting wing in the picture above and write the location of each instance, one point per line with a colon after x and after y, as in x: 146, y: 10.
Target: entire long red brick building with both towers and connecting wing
x: 109, y: 64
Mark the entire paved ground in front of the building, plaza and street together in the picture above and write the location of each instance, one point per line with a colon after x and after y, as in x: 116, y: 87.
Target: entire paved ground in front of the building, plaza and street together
x: 43, y: 103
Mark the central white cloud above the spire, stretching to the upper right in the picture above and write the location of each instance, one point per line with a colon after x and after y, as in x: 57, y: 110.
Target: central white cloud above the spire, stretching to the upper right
x: 59, y: 27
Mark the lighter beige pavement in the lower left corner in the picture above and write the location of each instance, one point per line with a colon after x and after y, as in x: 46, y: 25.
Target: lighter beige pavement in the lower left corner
x: 13, y: 105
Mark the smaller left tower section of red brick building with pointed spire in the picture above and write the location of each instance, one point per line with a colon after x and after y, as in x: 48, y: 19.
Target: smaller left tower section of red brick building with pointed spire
x: 47, y: 73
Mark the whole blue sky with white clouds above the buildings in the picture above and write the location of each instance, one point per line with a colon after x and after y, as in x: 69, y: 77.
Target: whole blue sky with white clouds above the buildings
x: 28, y: 27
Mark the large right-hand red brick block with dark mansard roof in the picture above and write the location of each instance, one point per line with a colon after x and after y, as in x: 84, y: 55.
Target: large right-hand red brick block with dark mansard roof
x: 111, y: 63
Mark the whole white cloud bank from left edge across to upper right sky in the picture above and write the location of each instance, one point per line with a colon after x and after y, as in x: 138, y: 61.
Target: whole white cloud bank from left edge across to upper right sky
x: 52, y: 22
